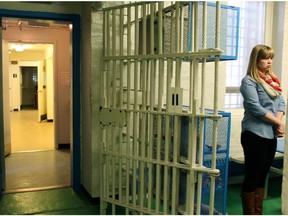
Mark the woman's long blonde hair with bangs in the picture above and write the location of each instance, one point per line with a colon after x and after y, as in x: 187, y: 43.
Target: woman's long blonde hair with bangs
x: 259, y: 52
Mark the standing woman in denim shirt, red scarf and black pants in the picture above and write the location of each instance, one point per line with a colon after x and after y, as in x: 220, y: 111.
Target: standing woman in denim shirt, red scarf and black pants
x: 262, y: 124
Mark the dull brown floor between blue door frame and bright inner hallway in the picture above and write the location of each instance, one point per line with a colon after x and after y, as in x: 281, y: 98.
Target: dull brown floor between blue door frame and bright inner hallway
x: 30, y: 171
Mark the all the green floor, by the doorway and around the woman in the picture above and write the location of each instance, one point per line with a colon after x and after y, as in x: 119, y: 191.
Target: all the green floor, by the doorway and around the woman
x: 65, y: 201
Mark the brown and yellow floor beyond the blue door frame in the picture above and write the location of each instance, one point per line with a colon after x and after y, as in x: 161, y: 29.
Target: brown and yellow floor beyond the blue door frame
x: 34, y: 164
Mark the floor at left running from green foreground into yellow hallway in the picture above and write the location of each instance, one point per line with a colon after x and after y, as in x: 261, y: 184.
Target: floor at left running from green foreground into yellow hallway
x: 38, y: 176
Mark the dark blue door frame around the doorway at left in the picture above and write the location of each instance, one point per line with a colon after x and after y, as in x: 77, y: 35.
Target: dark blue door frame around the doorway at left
x: 75, y: 88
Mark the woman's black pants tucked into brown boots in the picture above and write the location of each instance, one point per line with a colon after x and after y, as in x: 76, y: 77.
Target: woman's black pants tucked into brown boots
x: 259, y: 154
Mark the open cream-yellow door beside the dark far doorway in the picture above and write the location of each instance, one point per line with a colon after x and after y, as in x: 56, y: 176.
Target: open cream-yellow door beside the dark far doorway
x: 42, y: 107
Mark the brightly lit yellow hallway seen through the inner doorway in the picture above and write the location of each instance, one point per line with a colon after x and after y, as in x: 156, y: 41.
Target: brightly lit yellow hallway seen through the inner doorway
x: 31, y: 105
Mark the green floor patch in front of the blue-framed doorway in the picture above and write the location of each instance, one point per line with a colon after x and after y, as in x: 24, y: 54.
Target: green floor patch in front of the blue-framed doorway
x: 51, y: 202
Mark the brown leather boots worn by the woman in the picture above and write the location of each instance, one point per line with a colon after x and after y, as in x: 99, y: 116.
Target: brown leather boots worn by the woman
x: 252, y: 202
